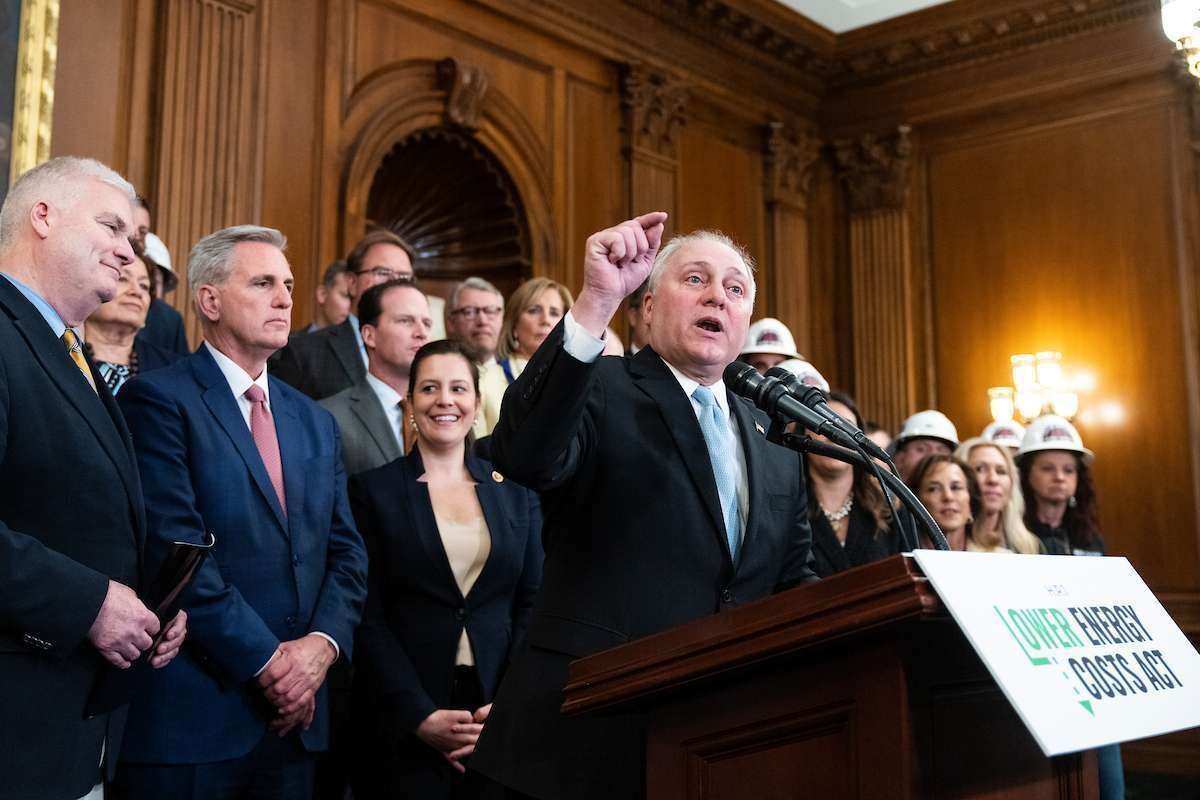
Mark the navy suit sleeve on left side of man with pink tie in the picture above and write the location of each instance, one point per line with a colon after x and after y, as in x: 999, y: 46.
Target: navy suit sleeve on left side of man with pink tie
x: 226, y: 628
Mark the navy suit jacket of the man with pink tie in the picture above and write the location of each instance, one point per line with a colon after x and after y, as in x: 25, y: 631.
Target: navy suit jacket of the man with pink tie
x: 273, y: 576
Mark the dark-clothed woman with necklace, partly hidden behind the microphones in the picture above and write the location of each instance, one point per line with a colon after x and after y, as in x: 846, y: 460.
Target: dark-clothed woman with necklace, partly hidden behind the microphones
x: 850, y: 520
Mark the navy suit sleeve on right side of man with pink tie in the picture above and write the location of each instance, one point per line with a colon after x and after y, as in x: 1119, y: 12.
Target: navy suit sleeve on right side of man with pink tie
x: 340, y: 604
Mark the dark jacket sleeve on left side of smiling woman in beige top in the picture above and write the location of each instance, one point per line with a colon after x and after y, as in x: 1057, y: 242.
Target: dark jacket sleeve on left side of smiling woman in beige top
x: 383, y: 669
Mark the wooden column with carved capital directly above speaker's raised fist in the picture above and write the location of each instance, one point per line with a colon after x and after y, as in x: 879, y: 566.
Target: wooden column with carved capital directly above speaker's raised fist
x: 655, y: 105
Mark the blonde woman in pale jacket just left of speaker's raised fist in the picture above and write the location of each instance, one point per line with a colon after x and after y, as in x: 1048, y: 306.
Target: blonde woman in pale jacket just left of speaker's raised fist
x: 530, y: 316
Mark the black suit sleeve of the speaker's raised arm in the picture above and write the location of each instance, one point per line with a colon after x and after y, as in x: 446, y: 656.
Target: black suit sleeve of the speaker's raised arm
x: 548, y: 419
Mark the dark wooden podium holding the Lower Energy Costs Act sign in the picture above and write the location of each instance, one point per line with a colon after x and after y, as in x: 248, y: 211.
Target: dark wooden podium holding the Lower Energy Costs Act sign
x: 857, y: 687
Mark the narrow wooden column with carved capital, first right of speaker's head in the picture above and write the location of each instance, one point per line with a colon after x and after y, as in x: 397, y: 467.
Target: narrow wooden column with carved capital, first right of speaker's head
x: 790, y: 155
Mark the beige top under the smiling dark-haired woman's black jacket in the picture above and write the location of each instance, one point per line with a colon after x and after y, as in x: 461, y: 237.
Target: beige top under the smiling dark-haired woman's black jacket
x: 466, y: 540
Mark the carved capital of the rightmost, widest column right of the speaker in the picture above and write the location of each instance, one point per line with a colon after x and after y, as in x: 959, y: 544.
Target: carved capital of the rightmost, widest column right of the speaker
x: 874, y: 169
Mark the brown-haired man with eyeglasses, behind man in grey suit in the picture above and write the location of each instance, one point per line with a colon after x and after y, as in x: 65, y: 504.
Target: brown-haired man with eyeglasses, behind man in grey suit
x: 327, y: 362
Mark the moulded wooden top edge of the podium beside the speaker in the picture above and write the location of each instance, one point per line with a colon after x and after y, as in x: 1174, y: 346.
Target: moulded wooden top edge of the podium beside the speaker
x: 844, y: 605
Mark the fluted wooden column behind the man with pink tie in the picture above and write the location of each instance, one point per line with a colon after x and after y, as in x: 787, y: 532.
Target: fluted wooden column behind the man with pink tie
x: 209, y: 145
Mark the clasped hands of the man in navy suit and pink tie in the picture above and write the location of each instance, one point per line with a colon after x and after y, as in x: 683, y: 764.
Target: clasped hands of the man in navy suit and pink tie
x: 292, y: 678
